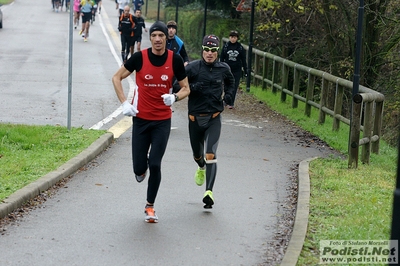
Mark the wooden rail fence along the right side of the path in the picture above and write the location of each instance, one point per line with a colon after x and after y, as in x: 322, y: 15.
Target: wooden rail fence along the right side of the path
x: 318, y: 89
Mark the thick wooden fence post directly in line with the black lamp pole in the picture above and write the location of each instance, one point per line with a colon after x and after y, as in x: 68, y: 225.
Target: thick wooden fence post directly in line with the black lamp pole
x: 354, y: 139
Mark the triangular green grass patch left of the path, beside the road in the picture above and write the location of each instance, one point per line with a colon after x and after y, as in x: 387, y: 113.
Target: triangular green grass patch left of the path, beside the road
x: 29, y: 152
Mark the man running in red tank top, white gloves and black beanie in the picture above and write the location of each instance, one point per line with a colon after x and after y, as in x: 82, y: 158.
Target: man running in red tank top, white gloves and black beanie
x: 151, y: 107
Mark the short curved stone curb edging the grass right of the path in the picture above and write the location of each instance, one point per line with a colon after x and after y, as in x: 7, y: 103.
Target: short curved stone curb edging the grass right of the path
x: 301, y: 220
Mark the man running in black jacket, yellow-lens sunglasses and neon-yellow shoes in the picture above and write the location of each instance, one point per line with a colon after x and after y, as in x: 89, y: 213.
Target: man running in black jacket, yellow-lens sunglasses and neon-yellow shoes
x: 211, y: 83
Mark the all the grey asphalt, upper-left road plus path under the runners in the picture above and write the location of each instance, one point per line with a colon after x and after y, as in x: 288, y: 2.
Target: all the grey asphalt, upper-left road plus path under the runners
x: 97, y: 218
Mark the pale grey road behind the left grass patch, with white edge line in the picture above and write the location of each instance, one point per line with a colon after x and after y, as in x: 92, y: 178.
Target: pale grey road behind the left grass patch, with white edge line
x: 34, y: 62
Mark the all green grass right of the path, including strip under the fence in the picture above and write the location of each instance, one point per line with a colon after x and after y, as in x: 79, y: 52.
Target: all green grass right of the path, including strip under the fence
x: 345, y: 204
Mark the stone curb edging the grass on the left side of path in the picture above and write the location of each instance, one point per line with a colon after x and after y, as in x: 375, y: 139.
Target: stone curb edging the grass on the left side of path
x: 18, y: 198
